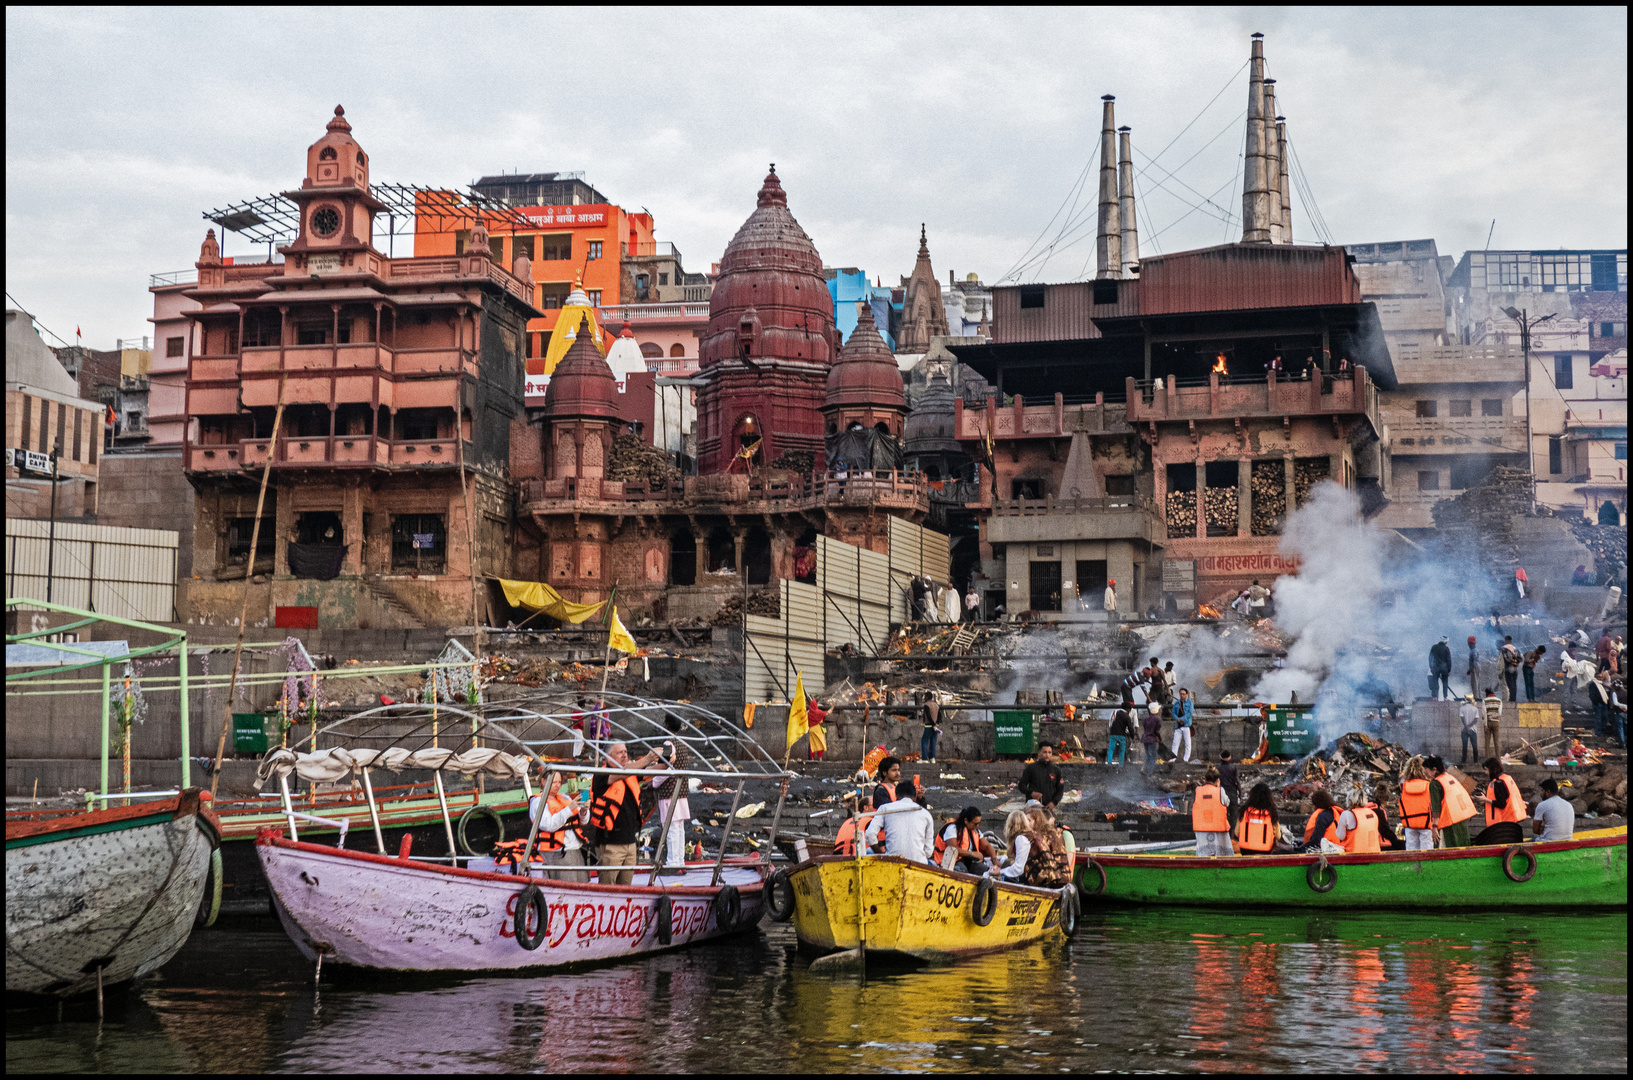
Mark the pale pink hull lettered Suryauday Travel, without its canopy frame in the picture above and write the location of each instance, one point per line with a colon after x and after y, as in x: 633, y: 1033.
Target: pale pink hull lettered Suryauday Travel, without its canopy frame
x: 386, y: 914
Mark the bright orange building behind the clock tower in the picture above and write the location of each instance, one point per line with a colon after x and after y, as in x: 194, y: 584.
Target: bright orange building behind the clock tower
x: 566, y: 246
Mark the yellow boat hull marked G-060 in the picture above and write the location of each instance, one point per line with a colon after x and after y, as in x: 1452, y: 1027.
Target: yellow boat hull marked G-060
x: 912, y: 909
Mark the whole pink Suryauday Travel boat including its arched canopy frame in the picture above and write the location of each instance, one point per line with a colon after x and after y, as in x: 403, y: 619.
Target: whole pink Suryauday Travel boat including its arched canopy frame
x: 460, y: 914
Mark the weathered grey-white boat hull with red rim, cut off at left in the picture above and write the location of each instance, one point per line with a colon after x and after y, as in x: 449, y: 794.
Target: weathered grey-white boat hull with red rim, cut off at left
x: 117, y: 890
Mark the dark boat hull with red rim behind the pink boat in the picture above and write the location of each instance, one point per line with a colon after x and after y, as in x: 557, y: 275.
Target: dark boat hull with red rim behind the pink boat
x: 244, y: 888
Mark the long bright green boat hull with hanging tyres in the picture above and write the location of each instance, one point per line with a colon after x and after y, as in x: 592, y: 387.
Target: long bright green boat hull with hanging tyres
x: 1586, y: 872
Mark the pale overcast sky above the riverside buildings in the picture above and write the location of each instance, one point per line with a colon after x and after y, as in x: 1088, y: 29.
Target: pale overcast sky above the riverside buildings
x: 125, y: 125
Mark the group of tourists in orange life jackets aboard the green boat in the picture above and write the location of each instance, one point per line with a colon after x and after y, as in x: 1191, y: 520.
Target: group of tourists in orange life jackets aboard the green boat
x: 1433, y: 808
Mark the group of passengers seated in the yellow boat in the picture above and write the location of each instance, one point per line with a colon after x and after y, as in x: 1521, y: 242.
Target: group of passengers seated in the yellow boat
x: 896, y: 819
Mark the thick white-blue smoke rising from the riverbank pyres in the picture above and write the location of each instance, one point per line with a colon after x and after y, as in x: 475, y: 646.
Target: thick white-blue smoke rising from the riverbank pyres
x: 1364, y: 610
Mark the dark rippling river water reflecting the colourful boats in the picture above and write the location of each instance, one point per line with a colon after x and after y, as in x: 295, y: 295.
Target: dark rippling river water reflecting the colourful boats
x: 1136, y: 991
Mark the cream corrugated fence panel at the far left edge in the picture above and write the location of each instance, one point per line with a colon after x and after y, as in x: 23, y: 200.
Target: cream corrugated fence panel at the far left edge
x: 113, y: 571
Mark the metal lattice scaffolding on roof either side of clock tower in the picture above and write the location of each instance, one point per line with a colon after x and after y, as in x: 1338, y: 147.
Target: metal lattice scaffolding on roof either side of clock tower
x: 277, y: 218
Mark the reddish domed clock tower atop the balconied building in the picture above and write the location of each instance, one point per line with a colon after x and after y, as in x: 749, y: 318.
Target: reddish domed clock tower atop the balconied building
x: 337, y: 212
